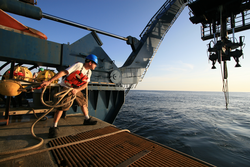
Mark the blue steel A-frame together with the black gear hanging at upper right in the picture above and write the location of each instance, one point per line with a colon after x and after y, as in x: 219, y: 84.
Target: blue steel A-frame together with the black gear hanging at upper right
x: 109, y: 84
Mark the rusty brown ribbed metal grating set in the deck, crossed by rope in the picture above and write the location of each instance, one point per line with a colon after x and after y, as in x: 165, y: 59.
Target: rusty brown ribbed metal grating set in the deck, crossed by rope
x: 120, y: 149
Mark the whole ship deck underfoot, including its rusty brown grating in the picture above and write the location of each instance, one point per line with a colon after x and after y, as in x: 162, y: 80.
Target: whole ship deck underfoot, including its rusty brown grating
x: 84, y: 145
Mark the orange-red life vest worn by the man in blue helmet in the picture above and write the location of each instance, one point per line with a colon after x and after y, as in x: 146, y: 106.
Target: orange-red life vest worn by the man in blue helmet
x: 76, y: 79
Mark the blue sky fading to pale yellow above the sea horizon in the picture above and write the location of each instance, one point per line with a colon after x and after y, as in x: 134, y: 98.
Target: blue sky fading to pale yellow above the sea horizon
x: 181, y: 63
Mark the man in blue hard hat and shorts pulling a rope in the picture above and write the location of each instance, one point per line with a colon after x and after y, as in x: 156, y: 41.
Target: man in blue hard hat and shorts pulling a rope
x: 91, y: 62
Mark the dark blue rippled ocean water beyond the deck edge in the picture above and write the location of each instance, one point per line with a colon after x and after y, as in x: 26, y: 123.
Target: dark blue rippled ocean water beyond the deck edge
x: 196, y: 123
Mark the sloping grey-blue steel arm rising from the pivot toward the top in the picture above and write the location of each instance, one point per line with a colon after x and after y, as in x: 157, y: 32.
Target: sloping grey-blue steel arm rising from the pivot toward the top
x: 144, y: 49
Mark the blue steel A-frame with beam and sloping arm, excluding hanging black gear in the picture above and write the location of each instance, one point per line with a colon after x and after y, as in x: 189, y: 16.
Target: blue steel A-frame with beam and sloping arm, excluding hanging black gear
x: 109, y: 84
